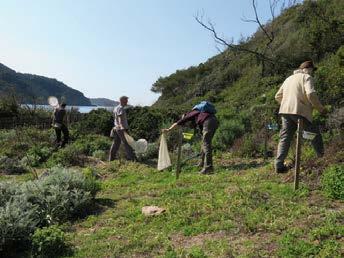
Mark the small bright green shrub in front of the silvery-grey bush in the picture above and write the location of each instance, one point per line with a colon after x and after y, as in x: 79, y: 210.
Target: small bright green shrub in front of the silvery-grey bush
x: 49, y: 242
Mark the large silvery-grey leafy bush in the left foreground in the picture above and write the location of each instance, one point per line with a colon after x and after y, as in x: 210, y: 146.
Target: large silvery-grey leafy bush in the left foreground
x: 58, y: 195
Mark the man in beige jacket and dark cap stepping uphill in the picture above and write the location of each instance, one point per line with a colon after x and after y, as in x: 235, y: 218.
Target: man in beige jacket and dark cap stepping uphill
x: 297, y: 98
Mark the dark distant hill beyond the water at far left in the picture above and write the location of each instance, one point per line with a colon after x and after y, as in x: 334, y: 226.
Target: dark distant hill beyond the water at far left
x: 30, y: 88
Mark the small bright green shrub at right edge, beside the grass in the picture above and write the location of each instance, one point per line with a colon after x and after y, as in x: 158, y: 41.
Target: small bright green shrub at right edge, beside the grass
x: 333, y: 182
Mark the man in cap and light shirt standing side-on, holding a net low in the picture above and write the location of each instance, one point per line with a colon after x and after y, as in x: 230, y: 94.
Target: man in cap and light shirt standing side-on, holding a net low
x: 118, y: 132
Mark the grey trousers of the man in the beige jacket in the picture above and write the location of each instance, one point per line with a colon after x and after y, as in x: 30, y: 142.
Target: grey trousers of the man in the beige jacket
x: 289, y: 127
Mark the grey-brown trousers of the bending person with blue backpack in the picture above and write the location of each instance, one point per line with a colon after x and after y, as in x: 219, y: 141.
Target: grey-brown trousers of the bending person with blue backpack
x: 209, y: 128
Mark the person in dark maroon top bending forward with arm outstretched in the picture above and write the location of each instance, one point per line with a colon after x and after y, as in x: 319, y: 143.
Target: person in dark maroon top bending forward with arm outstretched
x: 208, y: 124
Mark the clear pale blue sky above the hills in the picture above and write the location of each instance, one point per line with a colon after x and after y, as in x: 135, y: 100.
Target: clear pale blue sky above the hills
x: 108, y: 48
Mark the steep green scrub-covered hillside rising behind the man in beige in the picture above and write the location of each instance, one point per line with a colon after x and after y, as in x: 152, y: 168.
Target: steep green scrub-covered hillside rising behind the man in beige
x: 238, y: 78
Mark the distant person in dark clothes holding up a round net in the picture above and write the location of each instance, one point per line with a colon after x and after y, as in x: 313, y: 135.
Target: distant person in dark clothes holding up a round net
x: 59, y: 124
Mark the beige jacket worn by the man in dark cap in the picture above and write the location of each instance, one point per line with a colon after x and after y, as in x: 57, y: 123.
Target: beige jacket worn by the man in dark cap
x: 297, y: 95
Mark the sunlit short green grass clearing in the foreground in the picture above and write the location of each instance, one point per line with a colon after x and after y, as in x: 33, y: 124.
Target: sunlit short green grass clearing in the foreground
x: 243, y: 210
